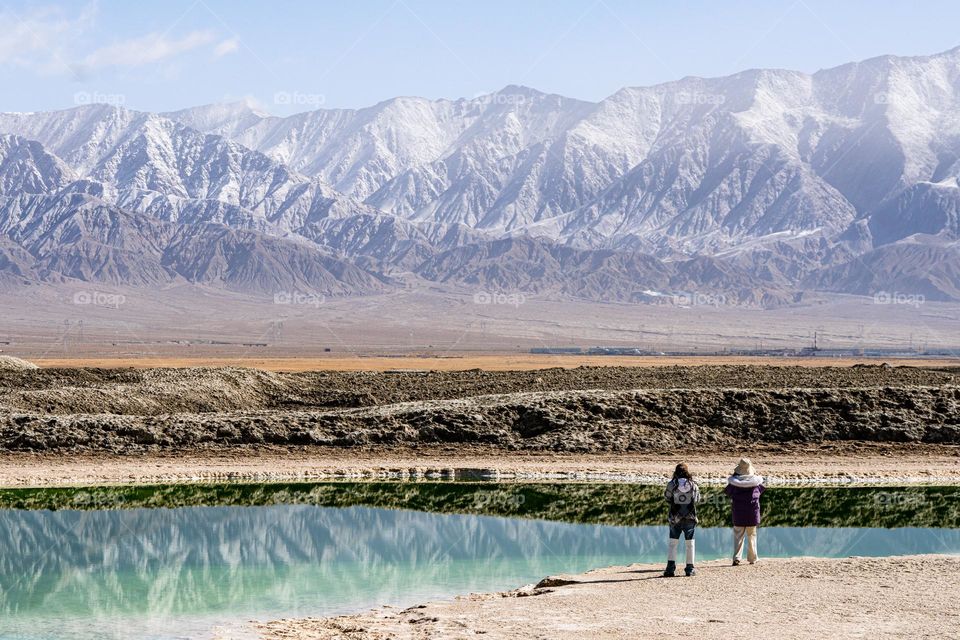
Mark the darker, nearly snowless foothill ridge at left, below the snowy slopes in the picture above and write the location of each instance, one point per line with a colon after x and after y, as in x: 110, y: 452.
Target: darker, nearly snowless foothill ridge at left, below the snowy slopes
x: 54, y: 227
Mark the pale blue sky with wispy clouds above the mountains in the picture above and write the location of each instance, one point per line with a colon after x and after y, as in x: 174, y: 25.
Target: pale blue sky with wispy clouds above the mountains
x: 298, y: 55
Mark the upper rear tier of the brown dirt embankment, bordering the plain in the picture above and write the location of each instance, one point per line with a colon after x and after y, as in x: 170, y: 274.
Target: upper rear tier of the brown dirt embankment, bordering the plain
x: 162, y: 390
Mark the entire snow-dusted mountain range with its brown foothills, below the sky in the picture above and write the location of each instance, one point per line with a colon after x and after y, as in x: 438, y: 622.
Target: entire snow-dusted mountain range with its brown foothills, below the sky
x: 760, y: 185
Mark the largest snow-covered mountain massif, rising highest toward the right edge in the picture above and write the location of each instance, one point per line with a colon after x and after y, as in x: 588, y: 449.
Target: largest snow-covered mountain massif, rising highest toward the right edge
x: 700, y: 165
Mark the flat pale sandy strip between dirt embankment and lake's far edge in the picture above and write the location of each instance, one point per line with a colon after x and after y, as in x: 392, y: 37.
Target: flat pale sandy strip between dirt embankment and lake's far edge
x: 889, y: 464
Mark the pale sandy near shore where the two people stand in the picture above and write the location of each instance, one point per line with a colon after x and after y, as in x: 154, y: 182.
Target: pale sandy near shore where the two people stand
x: 802, y: 598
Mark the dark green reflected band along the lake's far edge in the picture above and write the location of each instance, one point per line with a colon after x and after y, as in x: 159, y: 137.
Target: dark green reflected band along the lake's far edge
x: 598, y: 503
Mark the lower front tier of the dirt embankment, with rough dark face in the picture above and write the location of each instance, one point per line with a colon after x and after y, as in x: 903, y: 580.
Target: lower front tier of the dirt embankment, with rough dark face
x: 645, y: 420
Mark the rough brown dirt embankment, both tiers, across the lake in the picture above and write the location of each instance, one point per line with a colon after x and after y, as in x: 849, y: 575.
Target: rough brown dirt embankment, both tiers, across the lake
x: 581, y: 410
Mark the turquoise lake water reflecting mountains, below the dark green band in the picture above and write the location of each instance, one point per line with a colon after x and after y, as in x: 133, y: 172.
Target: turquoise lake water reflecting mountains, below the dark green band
x: 193, y: 571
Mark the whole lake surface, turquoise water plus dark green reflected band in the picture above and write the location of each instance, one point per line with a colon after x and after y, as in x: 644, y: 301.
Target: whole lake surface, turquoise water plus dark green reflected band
x: 194, y: 561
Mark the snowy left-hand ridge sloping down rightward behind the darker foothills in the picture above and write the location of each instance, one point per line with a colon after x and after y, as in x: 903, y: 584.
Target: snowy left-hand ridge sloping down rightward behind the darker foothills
x: 143, y: 156
